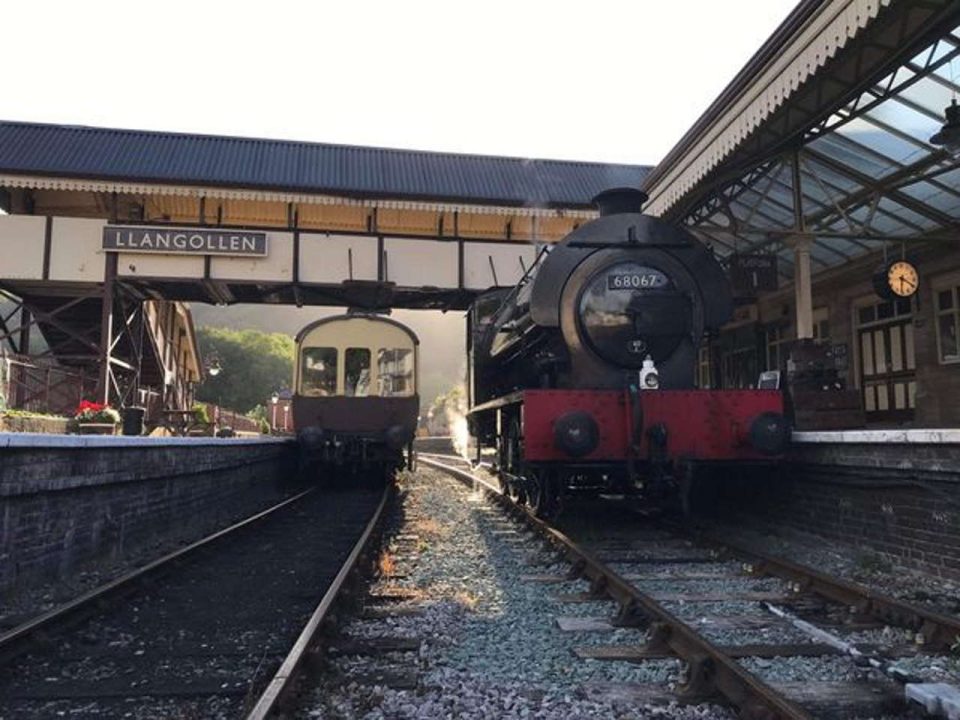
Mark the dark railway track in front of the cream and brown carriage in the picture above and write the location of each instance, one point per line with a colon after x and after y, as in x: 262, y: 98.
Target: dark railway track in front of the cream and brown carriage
x: 218, y: 629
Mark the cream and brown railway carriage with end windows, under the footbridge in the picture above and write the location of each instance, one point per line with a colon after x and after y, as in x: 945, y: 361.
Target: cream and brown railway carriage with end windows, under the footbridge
x: 355, y: 402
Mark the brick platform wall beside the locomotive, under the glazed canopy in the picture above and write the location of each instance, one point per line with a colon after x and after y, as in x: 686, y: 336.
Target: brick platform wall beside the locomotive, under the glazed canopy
x: 893, y: 501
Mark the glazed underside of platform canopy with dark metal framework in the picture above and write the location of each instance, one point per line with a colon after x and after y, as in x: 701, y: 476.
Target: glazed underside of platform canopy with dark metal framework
x: 866, y: 176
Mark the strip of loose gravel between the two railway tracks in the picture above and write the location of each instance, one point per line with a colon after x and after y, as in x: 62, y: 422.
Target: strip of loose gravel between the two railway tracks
x: 490, y: 644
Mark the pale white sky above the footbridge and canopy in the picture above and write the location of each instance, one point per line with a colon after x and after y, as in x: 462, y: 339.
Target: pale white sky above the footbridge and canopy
x: 605, y: 81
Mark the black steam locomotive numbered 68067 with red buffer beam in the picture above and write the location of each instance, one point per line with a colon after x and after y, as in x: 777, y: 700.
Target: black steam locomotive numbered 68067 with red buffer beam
x: 581, y: 378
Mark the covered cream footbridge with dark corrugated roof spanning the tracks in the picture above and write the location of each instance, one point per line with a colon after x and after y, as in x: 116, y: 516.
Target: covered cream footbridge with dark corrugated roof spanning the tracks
x: 103, y: 223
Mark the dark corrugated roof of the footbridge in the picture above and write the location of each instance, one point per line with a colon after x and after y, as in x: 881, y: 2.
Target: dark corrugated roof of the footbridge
x: 343, y: 170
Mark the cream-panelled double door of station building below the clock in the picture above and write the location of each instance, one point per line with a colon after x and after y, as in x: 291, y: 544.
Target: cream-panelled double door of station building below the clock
x: 887, y: 362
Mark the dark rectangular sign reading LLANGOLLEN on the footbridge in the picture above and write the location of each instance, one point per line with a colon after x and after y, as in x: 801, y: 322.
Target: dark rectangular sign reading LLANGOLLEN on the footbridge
x: 184, y: 241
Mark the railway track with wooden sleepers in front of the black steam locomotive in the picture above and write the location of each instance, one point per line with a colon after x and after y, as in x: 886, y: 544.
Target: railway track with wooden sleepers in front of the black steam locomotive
x: 661, y: 580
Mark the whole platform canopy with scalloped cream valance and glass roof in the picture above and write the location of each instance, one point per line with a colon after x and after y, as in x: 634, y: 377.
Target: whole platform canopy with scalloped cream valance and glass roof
x: 826, y: 134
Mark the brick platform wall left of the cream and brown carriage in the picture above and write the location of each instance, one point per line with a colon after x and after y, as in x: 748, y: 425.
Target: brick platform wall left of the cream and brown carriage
x: 64, y: 508
